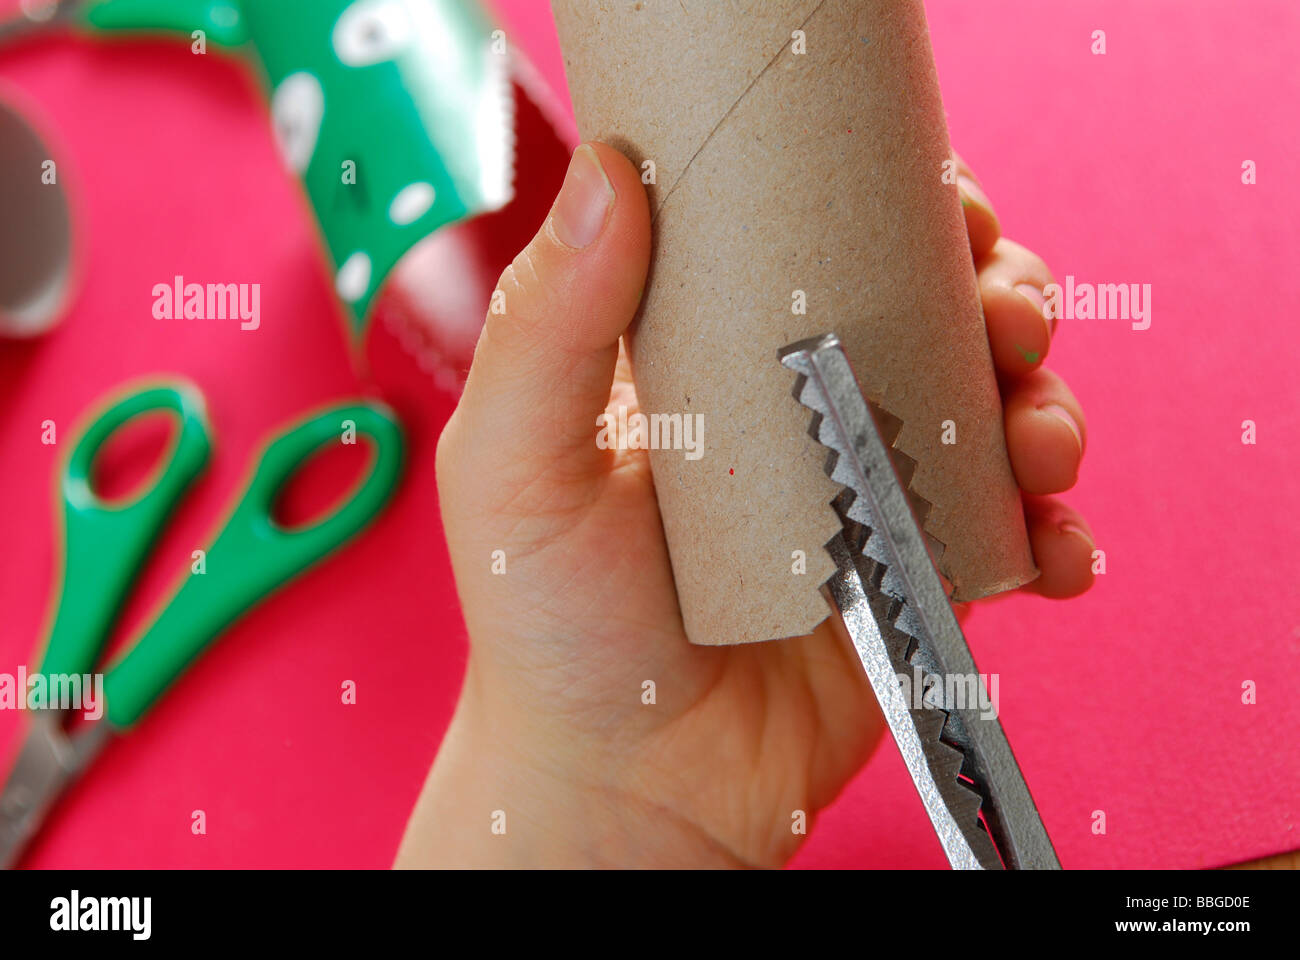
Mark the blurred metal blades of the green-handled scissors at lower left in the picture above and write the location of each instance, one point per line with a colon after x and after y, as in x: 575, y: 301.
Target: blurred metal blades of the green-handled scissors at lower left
x: 47, y: 762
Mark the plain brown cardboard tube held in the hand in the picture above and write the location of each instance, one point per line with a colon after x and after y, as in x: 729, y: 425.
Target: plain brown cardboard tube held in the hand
x: 796, y: 146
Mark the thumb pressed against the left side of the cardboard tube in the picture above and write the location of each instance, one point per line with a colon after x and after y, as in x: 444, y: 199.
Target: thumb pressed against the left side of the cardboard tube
x: 545, y: 362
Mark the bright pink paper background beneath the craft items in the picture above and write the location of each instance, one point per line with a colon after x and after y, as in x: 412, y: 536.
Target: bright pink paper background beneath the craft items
x: 1117, y: 168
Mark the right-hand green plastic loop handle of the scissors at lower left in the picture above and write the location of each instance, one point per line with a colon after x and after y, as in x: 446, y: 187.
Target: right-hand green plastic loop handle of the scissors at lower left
x: 253, y: 555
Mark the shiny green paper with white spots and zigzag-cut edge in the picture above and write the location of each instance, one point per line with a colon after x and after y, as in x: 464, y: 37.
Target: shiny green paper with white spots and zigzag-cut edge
x: 397, y: 115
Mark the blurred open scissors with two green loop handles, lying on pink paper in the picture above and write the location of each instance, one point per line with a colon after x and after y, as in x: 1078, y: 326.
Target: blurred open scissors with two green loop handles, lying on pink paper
x: 106, y: 544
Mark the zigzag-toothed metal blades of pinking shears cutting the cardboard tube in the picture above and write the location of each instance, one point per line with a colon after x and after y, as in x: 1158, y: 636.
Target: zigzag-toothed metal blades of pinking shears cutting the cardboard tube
x: 900, y: 620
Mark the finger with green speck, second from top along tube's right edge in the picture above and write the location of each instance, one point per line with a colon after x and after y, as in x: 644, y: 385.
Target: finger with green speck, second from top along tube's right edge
x: 1011, y: 286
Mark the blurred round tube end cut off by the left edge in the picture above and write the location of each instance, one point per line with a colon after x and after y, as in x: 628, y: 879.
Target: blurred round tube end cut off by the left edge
x: 36, y: 230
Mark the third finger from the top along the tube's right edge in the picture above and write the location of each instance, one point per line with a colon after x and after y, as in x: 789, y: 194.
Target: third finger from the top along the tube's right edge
x: 1046, y: 434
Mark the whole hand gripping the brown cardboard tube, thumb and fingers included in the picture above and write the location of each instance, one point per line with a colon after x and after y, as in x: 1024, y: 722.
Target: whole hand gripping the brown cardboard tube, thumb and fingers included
x: 552, y: 729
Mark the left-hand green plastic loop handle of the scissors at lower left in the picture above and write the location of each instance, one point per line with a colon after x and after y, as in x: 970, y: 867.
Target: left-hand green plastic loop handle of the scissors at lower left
x: 107, y: 543
